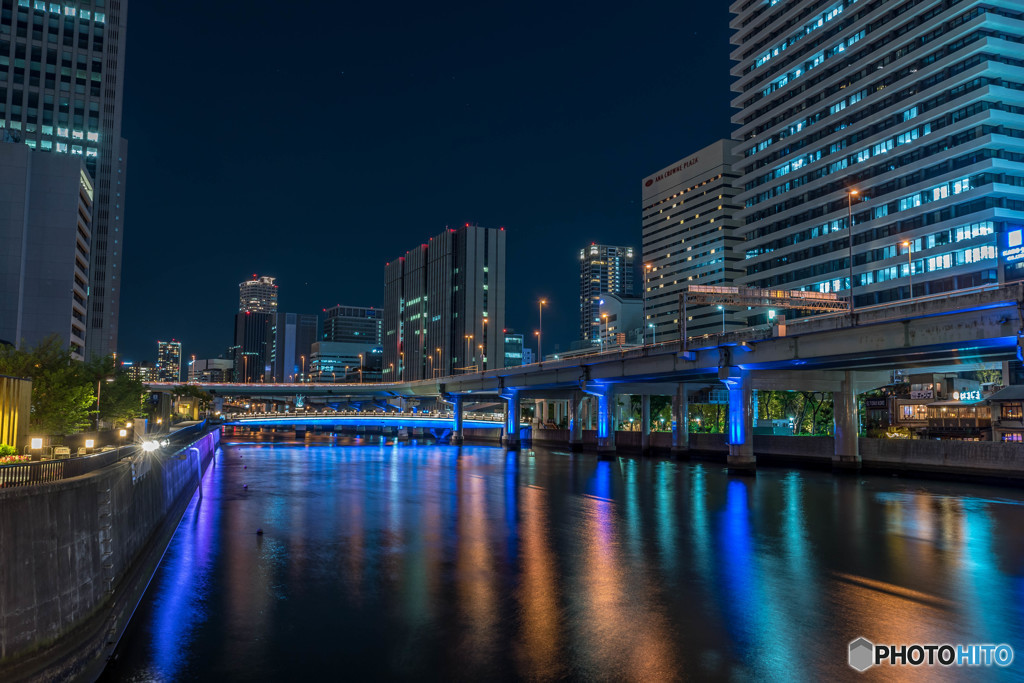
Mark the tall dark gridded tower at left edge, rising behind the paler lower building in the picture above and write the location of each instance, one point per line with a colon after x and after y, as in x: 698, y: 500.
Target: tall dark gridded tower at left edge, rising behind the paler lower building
x: 62, y: 75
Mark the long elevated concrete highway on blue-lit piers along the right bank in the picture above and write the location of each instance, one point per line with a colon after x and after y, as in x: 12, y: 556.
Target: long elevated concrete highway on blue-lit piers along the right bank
x: 843, y: 354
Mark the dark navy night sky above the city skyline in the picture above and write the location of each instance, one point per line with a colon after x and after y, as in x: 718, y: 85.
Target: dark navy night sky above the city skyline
x: 314, y: 142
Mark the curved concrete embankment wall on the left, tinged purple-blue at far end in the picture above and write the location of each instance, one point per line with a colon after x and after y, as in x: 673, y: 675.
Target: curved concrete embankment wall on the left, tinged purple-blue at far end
x: 77, y: 558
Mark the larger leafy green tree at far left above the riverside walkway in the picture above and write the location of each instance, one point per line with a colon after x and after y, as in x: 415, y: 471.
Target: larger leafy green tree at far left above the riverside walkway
x: 62, y: 393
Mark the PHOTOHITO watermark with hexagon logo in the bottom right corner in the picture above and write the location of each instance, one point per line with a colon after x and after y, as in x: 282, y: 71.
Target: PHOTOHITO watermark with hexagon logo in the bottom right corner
x: 865, y: 655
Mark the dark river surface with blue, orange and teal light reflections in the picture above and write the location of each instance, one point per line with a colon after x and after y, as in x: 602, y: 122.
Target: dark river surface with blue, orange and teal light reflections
x: 383, y: 562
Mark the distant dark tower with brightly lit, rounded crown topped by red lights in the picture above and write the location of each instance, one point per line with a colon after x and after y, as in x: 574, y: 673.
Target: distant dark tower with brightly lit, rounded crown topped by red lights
x: 254, y: 330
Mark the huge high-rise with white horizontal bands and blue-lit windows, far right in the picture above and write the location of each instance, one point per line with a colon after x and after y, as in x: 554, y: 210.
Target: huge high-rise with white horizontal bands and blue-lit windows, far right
x: 897, y: 121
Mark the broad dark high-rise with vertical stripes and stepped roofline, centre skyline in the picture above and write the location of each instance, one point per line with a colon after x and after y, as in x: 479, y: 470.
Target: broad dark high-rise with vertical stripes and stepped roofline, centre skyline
x: 445, y: 307
